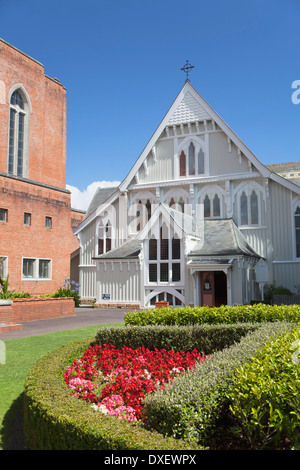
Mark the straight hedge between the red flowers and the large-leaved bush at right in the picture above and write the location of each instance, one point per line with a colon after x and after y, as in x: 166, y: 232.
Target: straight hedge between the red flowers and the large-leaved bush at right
x: 190, y: 407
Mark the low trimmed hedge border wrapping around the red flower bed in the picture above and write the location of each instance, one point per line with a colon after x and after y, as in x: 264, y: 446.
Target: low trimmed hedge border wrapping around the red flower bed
x: 186, y: 410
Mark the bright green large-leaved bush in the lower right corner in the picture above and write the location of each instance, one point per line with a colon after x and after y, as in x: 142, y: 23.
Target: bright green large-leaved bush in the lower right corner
x: 265, y: 397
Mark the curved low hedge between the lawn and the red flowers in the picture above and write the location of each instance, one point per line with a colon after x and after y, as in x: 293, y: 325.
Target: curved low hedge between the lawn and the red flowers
x: 55, y: 420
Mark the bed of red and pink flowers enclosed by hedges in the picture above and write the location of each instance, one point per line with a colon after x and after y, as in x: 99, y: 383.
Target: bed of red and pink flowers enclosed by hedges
x: 116, y: 381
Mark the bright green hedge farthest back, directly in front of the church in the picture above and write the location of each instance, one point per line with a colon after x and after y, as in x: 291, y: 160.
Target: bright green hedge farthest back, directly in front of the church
x: 212, y: 315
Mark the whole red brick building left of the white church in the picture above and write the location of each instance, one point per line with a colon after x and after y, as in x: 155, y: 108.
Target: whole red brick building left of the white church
x: 36, y: 237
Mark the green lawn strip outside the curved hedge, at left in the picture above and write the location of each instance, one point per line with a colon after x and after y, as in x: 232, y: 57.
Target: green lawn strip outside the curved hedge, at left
x: 20, y: 355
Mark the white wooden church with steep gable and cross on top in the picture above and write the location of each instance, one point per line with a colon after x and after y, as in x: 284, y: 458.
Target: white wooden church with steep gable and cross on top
x: 198, y: 220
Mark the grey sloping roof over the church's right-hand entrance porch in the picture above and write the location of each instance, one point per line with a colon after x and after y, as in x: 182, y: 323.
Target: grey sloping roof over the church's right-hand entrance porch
x: 222, y: 238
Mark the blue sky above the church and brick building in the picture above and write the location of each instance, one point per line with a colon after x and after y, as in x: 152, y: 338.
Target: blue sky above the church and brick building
x: 120, y: 62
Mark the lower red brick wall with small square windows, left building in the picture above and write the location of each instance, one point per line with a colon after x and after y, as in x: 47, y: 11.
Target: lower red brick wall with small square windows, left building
x: 35, y: 241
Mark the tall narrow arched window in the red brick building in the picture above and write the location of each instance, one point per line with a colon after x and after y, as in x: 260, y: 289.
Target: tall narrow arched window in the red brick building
x: 17, y: 134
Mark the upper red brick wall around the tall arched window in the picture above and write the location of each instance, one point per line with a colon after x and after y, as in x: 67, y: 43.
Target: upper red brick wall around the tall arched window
x: 47, y: 121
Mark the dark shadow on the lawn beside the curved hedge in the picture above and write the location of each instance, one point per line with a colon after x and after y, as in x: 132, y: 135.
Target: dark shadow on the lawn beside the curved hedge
x: 11, y: 434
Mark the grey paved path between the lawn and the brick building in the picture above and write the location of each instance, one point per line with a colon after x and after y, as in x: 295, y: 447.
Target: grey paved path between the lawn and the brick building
x: 84, y: 316
